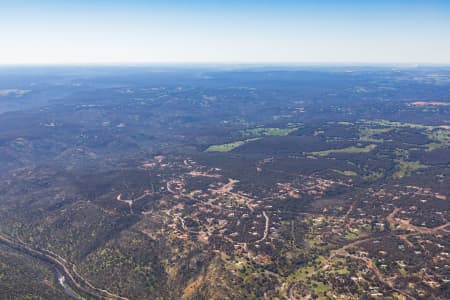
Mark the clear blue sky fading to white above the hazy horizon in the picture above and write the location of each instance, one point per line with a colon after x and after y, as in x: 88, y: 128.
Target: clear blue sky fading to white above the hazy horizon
x: 228, y: 31
